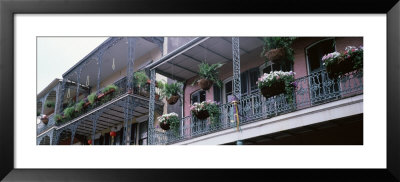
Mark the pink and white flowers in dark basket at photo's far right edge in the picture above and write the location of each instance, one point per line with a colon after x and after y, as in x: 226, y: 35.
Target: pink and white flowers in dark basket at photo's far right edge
x: 339, y: 64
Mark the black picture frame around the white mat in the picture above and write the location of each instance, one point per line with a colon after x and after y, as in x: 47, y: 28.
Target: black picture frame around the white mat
x: 8, y: 8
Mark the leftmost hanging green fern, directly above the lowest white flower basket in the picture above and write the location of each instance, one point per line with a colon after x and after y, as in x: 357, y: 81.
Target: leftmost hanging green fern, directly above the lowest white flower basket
x: 172, y: 92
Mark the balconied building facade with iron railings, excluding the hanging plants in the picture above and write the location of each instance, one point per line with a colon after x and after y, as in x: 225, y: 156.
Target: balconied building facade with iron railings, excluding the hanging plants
x: 322, y: 111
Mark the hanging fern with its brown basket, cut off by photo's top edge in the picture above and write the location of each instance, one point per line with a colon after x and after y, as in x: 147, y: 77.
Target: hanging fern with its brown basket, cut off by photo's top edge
x: 278, y: 49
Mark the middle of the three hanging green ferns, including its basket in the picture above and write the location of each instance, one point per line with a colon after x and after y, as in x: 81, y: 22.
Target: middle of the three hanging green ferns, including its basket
x: 208, y: 75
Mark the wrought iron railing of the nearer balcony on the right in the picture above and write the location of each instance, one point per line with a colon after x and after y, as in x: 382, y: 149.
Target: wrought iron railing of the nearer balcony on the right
x: 314, y: 89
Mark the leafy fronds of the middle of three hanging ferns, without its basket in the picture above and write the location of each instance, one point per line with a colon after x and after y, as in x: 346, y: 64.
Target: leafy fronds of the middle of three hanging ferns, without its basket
x: 210, y: 72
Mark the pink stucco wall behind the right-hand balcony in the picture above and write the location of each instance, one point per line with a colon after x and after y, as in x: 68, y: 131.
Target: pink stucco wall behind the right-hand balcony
x: 253, y: 59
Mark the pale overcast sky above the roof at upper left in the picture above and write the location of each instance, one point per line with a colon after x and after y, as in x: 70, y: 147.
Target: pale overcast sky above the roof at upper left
x: 55, y: 55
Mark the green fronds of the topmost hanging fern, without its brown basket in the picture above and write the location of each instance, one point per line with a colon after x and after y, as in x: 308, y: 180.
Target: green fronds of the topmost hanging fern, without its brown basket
x: 279, y: 42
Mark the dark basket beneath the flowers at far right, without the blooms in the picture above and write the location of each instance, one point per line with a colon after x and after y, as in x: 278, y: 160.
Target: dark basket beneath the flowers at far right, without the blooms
x: 339, y: 68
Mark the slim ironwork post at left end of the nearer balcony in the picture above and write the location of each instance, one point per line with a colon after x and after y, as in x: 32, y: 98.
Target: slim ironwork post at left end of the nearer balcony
x: 150, y: 127
